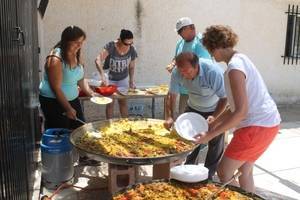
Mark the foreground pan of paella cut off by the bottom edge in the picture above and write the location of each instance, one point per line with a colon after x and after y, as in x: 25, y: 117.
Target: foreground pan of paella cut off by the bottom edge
x: 175, y: 190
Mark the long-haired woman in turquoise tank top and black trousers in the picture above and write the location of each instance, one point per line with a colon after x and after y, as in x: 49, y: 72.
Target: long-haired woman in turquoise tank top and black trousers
x: 59, y: 87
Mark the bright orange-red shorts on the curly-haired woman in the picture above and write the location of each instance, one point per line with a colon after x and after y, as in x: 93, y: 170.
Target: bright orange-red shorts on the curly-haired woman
x: 249, y: 143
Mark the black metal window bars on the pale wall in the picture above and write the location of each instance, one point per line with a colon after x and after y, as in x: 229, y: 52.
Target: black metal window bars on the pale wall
x: 292, y: 42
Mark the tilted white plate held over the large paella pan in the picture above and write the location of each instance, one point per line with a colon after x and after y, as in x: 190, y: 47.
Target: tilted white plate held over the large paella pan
x: 189, y: 124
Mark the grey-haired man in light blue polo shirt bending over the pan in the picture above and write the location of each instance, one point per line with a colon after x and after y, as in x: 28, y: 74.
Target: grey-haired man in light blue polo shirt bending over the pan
x: 204, y: 82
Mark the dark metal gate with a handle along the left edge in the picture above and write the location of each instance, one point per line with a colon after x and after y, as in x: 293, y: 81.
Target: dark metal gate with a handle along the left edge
x: 18, y: 97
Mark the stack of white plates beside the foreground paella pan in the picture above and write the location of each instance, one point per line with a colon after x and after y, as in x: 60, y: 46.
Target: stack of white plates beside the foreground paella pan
x: 189, y: 173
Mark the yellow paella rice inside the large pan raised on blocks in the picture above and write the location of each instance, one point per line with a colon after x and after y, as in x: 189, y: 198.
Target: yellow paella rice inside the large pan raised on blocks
x: 133, y: 138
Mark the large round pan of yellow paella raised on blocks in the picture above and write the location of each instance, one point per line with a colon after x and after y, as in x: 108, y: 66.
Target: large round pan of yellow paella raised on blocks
x: 133, y: 141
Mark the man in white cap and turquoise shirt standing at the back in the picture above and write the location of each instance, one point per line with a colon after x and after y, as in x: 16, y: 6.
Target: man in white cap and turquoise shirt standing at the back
x: 189, y: 42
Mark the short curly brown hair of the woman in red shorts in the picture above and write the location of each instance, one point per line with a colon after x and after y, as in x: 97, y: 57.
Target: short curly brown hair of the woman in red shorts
x: 219, y: 36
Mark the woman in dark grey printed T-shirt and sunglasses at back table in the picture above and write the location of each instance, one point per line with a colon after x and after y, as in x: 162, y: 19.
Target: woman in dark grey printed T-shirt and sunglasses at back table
x: 118, y: 57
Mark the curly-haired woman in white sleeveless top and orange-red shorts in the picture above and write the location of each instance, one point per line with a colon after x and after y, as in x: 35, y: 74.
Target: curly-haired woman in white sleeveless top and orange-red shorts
x: 252, y: 112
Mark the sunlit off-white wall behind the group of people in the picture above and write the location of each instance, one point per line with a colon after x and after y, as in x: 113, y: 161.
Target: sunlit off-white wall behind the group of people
x: 260, y: 24
